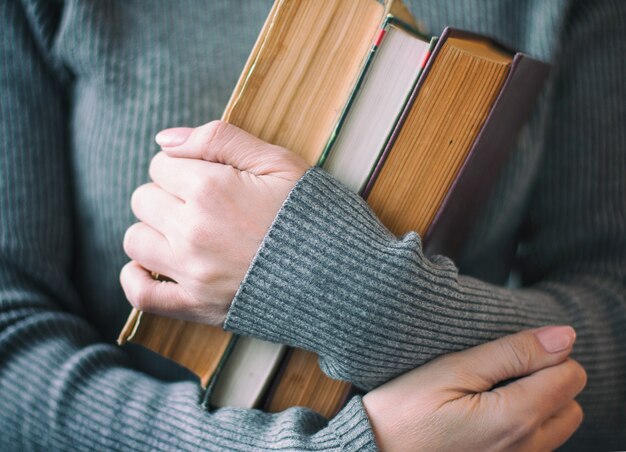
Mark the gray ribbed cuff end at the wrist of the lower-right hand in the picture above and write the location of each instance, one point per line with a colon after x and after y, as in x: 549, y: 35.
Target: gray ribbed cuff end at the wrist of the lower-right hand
x: 352, y: 427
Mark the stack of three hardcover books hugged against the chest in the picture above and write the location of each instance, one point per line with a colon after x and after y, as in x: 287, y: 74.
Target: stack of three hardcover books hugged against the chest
x: 418, y: 126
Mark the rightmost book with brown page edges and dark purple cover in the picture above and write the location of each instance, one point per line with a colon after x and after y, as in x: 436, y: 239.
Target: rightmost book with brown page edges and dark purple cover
x: 436, y: 168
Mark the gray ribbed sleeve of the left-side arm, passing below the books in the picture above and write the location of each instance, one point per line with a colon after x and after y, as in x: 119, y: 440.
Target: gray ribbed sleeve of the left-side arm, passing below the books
x: 62, y: 387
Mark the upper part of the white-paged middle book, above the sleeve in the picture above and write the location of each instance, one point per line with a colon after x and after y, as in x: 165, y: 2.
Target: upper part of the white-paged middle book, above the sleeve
x: 397, y: 58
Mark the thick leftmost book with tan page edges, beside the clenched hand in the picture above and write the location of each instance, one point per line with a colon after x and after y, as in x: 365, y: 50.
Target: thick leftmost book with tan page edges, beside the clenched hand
x: 301, y: 71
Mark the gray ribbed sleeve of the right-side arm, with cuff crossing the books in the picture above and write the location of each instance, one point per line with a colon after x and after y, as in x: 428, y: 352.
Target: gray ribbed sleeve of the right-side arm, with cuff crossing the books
x: 330, y: 278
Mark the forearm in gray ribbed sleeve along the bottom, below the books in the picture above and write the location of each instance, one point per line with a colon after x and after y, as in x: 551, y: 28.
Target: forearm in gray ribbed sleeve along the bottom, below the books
x: 63, y: 389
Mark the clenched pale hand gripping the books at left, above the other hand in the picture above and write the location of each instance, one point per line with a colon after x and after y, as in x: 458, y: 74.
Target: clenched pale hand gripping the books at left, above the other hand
x: 215, y: 193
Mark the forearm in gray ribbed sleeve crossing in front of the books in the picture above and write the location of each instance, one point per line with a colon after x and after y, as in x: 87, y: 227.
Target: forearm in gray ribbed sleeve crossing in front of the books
x: 330, y: 279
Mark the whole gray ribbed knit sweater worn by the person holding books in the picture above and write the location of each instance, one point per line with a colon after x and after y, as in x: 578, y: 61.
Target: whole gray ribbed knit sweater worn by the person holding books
x: 84, y: 87
